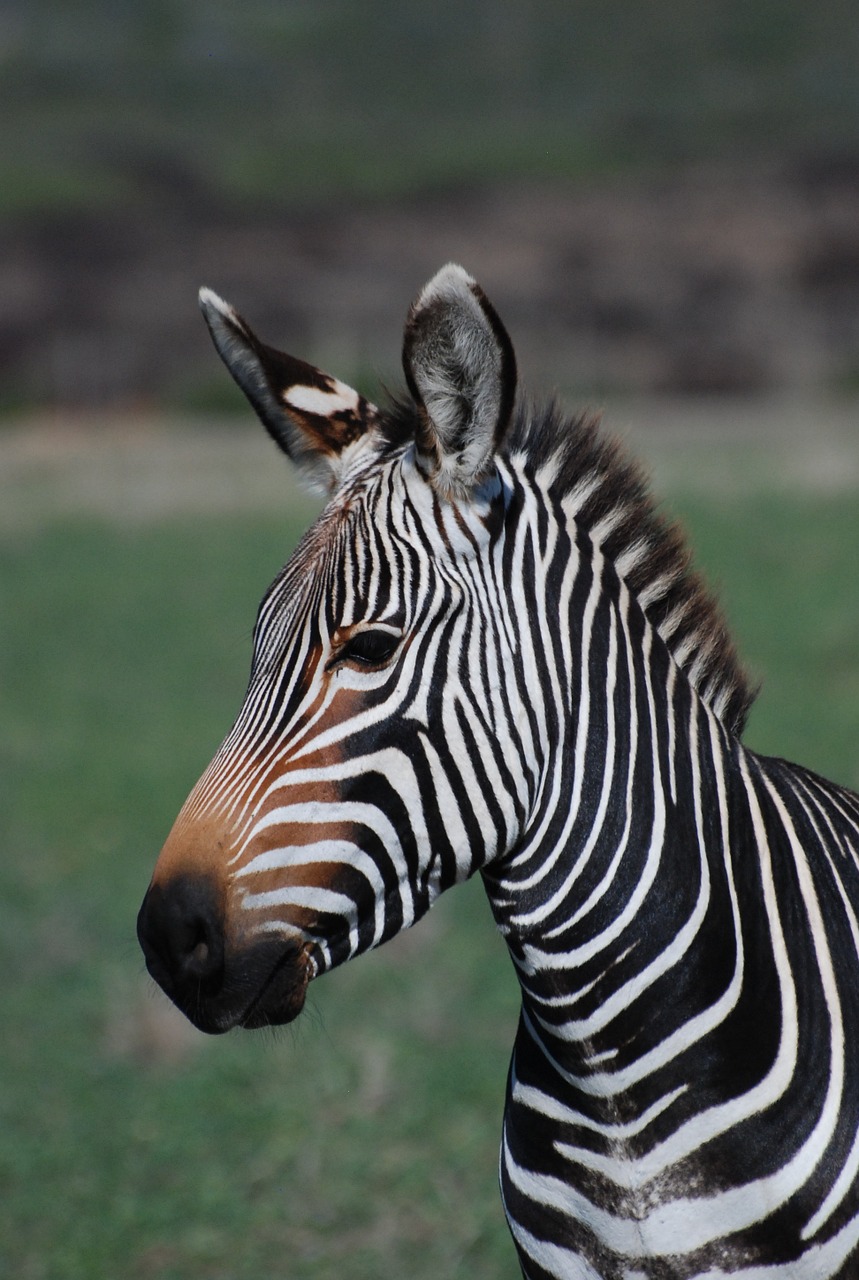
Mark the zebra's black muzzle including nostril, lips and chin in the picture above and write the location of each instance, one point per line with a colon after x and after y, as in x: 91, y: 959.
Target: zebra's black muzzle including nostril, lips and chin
x: 216, y: 982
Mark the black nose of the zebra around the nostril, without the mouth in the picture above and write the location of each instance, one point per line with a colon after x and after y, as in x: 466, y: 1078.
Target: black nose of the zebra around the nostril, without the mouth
x: 180, y: 929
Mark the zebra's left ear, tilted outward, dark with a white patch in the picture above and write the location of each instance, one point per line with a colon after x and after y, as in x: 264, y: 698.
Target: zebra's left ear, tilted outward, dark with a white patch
x: 312, y: 417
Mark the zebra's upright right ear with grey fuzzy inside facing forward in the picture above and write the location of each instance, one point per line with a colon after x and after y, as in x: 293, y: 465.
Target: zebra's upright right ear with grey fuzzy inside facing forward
x: 462, y: 371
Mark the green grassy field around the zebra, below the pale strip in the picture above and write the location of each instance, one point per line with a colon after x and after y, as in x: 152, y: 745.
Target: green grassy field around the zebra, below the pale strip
x: 363, y: 1142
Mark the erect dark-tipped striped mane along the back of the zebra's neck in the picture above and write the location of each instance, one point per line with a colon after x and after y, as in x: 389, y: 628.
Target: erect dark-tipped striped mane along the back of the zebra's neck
x: 610, y: 499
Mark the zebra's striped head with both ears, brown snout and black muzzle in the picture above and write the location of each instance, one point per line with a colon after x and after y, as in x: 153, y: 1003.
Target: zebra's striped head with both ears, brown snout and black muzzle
x: 330, y: 820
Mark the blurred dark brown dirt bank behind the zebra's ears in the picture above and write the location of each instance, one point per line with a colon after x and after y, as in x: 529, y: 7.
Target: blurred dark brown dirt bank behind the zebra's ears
x: 714, y: 281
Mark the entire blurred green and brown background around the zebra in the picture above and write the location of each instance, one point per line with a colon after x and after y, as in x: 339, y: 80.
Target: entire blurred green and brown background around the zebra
x: 664, y: 204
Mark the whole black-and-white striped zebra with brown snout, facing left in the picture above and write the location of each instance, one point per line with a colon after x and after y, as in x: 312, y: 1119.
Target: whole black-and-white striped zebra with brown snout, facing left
x: 491, y: 655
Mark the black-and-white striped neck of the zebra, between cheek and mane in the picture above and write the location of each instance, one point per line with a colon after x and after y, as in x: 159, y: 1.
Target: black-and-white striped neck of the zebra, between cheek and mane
x: 620, y: 861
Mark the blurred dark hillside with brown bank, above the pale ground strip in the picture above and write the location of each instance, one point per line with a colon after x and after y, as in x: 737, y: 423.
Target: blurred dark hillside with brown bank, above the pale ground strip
x: 659, y: 199
